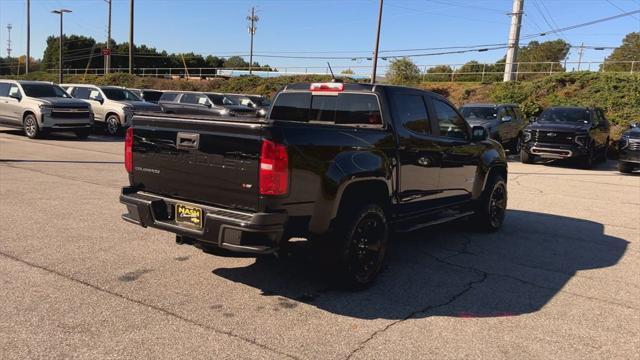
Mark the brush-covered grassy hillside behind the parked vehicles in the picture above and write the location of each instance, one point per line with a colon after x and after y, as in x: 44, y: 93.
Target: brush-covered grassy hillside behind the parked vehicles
x: 617, y: 93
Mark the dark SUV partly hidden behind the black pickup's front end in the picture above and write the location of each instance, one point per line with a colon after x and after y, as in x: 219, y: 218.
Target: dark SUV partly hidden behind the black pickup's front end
x: 504, y: 122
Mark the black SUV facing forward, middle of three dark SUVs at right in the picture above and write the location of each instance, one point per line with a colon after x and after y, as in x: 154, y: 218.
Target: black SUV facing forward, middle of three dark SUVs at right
x: 567, y: 132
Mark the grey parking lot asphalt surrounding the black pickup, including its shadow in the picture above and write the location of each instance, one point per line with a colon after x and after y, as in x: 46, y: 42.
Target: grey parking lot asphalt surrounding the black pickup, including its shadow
x: 560, y: 280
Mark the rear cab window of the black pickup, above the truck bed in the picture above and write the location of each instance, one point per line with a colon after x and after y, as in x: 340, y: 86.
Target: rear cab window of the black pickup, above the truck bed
x: 343, y: 108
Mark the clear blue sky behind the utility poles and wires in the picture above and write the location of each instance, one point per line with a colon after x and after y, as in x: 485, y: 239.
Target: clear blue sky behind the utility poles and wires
x: 324, y: 28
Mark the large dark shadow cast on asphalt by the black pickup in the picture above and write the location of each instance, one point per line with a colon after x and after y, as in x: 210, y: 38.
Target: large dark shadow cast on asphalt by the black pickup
x: 449, y: 270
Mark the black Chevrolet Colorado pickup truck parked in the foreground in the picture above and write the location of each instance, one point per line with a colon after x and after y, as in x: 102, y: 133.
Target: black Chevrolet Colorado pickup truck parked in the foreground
x: 339, y: 164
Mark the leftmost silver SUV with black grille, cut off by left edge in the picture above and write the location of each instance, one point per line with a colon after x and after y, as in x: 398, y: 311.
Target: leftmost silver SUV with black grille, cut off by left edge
x: 39, y: 107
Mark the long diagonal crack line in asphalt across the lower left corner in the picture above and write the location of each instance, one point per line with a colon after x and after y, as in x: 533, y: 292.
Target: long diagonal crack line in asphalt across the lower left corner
x: 149, y: 306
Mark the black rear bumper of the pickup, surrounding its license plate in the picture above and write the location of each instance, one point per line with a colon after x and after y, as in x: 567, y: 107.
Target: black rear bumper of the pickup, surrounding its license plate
x: 258, y: 233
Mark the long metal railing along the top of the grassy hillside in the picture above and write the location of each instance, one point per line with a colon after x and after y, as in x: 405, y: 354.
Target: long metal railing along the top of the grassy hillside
x: 454, y: 72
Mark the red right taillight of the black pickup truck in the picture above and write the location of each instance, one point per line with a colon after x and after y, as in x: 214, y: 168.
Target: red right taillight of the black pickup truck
x: 274, y: 169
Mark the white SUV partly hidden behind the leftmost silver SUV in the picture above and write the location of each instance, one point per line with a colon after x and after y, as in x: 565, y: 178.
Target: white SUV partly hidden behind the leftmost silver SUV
x: 113, y: 106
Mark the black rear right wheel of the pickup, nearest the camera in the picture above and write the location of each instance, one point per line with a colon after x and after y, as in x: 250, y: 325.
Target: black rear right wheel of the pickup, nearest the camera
x: 359, y: 244
